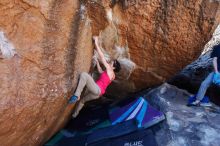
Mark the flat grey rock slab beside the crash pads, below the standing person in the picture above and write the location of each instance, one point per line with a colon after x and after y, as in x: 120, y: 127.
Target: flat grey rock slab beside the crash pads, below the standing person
x: 185, y: 126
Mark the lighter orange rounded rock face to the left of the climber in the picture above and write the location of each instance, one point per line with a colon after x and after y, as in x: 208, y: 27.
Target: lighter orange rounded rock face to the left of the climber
x: 43, y: 49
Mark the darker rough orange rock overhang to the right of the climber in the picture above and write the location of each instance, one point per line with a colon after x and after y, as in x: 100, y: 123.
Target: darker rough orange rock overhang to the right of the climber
x: 158, y: 36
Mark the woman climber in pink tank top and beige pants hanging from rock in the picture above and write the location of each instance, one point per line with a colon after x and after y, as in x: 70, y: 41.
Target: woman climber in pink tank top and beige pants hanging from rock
x: 98, y: 88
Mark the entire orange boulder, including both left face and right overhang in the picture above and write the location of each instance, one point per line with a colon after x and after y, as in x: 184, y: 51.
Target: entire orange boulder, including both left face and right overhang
x: 44, y: 46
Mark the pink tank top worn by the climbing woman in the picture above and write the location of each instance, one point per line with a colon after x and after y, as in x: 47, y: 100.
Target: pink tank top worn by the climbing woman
x: 103, y: 82
